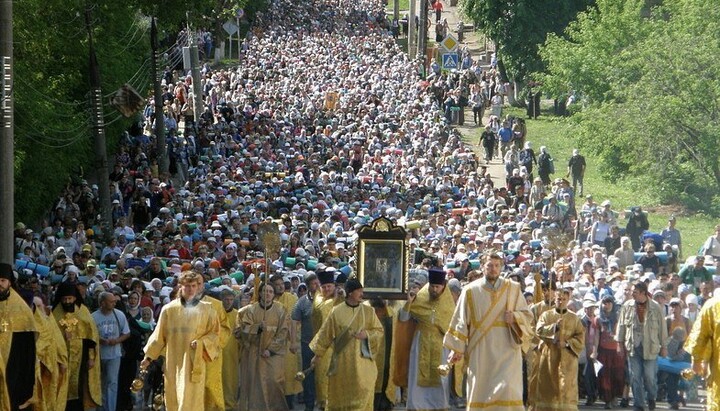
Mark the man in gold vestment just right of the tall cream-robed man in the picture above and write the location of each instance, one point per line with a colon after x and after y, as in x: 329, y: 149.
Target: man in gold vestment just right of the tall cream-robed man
x: 562, y: 338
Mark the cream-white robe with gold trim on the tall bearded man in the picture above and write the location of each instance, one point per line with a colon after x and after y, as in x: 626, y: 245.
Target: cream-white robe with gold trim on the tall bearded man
x: 492, y: 348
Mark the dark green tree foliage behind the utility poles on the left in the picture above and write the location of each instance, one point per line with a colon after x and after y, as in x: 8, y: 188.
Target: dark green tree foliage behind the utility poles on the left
x: 53, y: 140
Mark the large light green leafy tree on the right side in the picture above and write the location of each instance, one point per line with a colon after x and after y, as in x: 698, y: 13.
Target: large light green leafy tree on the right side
x: 650, y: 87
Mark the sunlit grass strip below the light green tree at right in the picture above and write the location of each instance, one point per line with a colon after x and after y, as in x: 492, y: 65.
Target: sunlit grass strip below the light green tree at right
x: 556, y: 134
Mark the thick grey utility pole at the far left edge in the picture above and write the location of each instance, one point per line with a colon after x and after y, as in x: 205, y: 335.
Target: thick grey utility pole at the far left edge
x: 7, y: 136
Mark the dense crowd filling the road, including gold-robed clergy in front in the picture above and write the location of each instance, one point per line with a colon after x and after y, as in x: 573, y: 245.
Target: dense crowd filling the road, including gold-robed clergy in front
x: 324, y: 126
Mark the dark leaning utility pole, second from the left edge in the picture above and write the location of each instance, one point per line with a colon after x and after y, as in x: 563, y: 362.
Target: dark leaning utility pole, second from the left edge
x: 98, y: 126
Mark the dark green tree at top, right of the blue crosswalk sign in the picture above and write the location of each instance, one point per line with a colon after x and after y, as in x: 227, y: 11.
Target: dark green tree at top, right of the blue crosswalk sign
x: 519, y: 27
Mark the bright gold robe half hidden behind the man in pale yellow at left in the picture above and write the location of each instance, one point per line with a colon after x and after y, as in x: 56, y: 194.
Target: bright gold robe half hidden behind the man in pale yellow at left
x: 214, y: 398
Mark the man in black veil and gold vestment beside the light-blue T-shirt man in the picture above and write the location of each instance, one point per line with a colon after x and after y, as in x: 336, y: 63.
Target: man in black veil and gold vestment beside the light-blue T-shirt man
x: 83, y: 345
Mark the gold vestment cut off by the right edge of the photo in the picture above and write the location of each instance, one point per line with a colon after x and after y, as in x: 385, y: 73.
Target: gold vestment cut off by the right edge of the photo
x: 704, y: 345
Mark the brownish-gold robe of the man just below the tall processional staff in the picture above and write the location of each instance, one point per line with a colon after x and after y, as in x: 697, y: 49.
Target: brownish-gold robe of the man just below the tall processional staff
x: 261, y: 379
